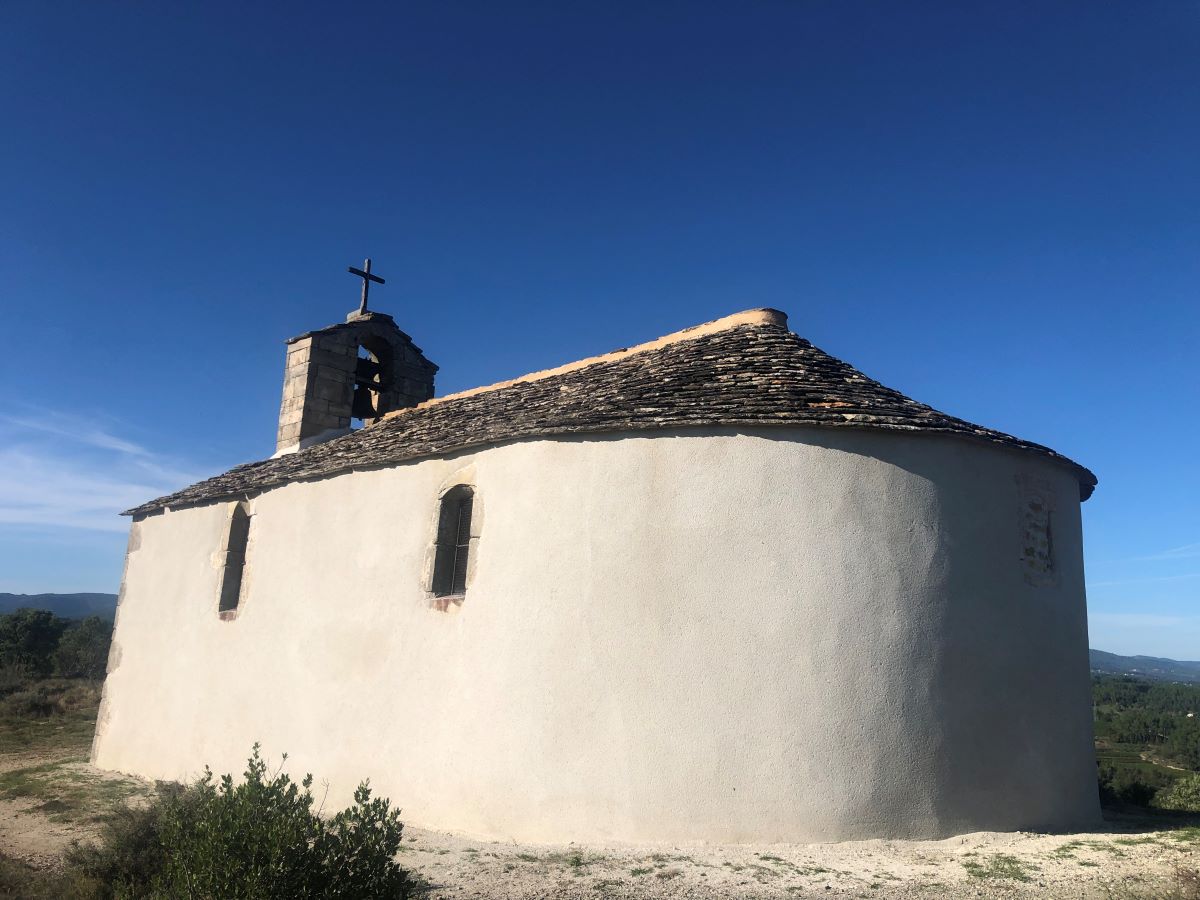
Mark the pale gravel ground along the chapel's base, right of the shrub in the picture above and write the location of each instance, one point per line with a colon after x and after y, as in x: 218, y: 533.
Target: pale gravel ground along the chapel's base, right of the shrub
x: 1125, y: 861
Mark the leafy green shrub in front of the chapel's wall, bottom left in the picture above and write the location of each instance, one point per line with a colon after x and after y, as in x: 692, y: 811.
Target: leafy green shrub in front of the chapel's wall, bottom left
x: 259, y: 838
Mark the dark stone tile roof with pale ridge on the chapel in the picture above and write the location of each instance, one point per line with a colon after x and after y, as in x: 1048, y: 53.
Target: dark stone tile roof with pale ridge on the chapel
x: 747, y: 370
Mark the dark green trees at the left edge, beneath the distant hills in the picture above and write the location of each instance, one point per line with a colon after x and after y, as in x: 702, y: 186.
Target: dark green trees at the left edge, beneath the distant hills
x: 37, y: 644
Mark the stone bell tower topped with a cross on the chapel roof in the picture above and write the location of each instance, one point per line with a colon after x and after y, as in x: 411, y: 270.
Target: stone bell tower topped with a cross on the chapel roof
x: 361, y: 369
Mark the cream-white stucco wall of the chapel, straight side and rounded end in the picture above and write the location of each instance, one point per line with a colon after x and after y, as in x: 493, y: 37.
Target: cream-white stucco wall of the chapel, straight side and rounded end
x: 784, y: 634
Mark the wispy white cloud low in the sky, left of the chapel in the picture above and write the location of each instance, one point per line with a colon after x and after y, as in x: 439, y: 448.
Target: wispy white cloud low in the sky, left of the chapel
x: 74, y: 472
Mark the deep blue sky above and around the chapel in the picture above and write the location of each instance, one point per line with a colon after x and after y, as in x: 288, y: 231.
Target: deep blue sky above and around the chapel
x: 994, y: 208
